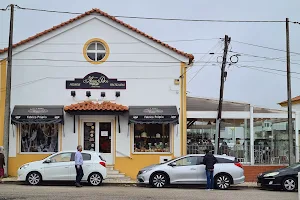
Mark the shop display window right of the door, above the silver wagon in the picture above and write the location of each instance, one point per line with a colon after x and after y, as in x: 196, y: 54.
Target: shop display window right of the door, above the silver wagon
x: 151, y: 138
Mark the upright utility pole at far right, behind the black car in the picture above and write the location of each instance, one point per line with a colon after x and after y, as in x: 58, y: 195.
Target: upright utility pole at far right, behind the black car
x: 289, y: 94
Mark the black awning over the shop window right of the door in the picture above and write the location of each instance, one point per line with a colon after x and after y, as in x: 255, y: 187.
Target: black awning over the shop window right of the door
x: 153, y: 114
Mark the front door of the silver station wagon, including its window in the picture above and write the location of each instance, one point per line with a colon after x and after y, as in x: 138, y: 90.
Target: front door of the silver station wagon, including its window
x: 185, y: 170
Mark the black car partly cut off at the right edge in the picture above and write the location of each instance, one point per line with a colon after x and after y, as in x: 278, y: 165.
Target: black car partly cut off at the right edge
x: 284, y: 178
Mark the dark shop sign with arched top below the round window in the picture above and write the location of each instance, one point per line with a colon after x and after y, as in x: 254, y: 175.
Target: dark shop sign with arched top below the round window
x: 95, y: 80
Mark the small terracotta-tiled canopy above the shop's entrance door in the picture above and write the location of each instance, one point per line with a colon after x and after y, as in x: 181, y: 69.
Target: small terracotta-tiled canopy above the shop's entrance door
x: 92, y: 106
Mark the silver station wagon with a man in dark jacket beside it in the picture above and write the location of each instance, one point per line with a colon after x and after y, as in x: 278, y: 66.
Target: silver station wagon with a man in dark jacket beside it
x: 190, y: 169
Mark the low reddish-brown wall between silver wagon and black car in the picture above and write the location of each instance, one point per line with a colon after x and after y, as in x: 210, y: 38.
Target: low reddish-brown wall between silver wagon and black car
x: 251, y: 172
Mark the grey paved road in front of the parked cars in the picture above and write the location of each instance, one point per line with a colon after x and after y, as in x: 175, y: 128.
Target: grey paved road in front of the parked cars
x: 24, y: 192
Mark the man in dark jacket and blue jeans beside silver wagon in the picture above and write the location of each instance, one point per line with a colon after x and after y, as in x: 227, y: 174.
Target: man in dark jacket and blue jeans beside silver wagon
x: 209, y: 161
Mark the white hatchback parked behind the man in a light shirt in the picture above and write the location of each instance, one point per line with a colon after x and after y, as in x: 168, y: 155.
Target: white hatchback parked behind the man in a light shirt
x: 61, y: 167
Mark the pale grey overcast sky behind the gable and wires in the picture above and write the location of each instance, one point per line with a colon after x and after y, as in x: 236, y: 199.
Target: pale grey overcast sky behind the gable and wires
x: 255, y: 85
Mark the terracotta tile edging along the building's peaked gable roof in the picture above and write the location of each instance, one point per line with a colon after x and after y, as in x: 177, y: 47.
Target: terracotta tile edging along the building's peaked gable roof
x: 95, y: 10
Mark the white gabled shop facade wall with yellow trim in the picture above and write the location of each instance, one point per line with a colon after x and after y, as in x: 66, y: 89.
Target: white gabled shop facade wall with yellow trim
x: 149, y: 74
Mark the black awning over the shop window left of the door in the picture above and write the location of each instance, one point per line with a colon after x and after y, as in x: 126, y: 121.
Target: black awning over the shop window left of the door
x: 37, y: 114
